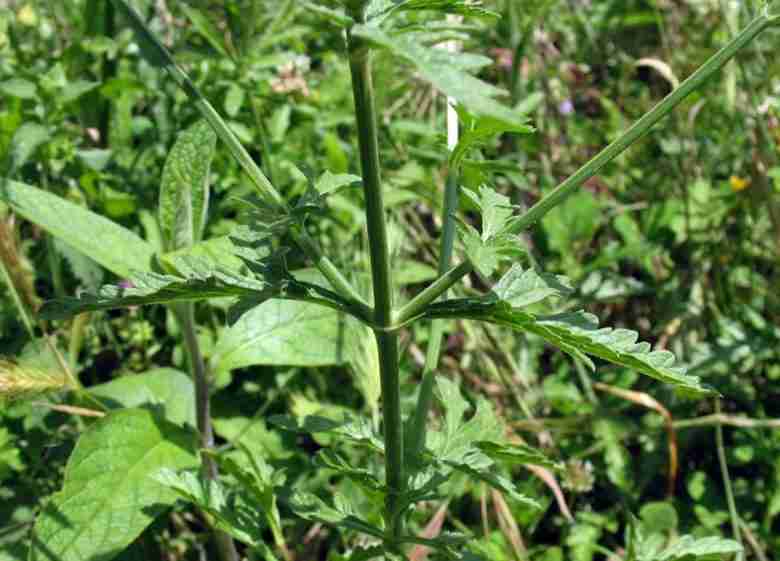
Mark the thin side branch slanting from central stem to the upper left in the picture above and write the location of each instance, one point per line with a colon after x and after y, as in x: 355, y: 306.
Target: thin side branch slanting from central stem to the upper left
x: 159, y: 56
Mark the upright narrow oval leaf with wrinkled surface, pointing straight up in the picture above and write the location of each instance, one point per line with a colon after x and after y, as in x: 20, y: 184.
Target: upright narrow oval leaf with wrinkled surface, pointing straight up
x: 184, y: 189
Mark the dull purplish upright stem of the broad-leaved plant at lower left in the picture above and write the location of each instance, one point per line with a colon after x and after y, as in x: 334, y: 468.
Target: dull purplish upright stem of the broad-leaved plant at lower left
x: 186, y: 314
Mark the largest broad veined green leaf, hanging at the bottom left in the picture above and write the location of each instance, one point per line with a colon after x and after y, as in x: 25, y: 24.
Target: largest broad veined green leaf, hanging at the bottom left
x: 108, y: 496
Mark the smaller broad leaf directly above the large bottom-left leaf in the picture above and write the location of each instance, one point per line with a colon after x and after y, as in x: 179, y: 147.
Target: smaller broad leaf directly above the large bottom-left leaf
x: 168, y: 389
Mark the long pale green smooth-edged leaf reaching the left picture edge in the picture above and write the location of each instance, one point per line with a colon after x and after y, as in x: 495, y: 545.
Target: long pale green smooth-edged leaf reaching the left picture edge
x: 116, y: 248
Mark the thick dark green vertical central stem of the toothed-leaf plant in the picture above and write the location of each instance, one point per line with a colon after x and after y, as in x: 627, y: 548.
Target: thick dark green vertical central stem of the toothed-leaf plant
x: 387, y: 340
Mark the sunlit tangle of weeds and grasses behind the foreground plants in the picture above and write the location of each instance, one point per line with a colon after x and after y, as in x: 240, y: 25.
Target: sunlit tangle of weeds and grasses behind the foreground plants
x: 679, y: 238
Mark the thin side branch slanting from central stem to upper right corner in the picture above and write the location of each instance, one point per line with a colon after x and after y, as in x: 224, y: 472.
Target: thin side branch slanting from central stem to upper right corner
x: 591, y: 168
